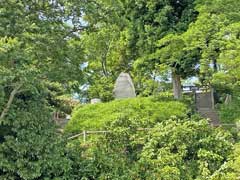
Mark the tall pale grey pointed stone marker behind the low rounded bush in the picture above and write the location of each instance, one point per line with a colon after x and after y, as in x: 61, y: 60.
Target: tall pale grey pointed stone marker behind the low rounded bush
x: 124, y: 87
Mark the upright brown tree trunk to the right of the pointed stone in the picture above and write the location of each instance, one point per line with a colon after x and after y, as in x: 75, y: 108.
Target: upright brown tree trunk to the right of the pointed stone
x: 177, y: 86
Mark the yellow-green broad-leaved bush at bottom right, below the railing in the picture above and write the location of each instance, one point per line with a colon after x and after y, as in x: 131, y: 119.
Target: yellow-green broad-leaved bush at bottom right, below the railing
x: 184, y: 150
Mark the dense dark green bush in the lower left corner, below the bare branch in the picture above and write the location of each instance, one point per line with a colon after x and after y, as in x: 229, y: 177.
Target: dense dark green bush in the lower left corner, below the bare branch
x: 32, y: 149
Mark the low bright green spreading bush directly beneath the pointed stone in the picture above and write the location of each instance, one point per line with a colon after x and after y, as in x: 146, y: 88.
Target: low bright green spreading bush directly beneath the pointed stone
x: 145, y: 110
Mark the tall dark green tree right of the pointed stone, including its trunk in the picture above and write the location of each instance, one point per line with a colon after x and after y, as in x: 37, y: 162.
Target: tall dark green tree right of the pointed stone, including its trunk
x: 157, y: 20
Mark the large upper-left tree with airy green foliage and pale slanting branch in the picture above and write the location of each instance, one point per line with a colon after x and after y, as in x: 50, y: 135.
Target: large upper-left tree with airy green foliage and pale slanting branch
x: 34, y: 47
